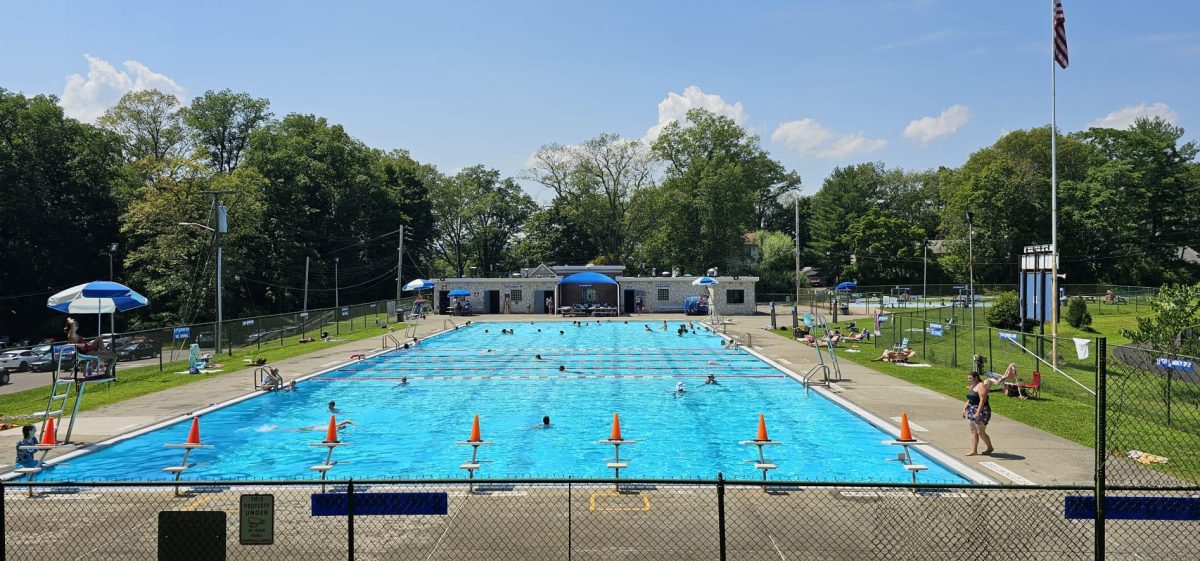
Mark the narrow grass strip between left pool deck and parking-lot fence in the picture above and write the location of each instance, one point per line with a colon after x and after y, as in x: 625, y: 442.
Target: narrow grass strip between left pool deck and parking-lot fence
x: 148, y: 379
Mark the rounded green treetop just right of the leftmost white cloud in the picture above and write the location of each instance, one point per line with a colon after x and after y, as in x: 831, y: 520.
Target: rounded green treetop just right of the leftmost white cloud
x: 220, y: 124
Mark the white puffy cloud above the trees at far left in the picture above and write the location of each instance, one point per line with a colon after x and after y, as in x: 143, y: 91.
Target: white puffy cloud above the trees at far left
x: 87, y: 99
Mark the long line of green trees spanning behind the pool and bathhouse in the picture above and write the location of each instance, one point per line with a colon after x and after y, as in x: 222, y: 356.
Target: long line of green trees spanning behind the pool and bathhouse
x: 304, y: 195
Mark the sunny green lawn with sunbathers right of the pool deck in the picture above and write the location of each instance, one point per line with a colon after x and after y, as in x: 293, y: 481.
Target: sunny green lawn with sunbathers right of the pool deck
x: 1137, y: 407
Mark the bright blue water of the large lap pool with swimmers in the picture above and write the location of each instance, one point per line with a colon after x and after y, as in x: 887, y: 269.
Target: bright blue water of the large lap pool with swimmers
x: 410, y: 431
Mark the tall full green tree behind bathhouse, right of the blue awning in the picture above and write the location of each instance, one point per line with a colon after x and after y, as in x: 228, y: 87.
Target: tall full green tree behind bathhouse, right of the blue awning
x: 722, y: 184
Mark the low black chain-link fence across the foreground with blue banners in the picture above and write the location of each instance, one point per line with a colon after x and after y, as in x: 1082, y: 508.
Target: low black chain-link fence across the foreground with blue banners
x: 548, y: 520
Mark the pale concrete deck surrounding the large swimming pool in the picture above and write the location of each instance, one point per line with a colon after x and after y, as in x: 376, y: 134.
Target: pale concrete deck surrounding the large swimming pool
x: 1024, y: 455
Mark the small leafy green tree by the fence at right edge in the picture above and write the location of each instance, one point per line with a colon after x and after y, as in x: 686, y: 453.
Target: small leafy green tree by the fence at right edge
x: 1175, y: 316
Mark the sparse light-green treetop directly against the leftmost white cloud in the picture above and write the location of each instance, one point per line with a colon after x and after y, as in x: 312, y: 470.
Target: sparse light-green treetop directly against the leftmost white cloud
x: 151, y: 125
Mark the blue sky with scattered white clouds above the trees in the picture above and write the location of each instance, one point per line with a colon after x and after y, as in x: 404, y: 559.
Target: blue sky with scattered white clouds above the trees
x: 911, y: 83
